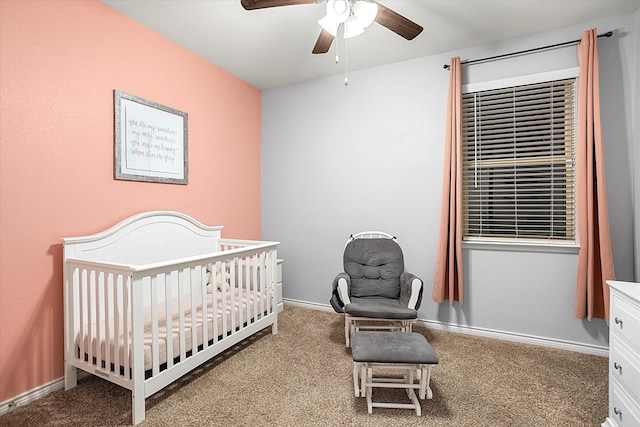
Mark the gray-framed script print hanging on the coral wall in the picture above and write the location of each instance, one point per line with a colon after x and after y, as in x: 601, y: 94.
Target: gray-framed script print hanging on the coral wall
x: 150, y: 141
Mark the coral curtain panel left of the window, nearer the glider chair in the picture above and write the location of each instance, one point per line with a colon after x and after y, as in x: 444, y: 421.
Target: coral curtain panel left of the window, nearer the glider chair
x: 448, y: 282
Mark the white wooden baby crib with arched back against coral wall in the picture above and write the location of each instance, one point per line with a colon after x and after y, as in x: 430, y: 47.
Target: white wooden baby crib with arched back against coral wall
x: 157, y: 295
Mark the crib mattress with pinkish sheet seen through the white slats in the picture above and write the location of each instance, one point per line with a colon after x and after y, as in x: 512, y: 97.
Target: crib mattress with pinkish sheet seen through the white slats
x: 240, y: 303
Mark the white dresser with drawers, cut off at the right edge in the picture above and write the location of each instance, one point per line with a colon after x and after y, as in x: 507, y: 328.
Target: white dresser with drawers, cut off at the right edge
x: 624, y: 355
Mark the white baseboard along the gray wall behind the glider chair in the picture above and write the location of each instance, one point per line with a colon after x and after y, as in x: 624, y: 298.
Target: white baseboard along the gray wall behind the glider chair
x: 484, y: 332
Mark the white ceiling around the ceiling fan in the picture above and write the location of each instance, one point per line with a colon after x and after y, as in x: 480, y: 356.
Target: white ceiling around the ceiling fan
x: 272, y: 47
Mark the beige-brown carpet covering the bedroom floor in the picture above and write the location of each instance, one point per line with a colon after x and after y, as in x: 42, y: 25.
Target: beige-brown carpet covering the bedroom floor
x: 303, y: 377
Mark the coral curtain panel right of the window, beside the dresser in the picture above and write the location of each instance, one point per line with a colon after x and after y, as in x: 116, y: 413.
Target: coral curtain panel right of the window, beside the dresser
x: 595, y: 262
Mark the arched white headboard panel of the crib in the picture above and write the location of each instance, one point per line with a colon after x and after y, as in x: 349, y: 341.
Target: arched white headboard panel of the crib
x: 144, y: 238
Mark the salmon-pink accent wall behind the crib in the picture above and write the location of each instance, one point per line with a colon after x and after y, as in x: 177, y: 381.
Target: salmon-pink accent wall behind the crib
x: 59, y: 64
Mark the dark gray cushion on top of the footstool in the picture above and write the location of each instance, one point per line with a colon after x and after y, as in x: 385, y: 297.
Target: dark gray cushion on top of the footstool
x: 392, y: 347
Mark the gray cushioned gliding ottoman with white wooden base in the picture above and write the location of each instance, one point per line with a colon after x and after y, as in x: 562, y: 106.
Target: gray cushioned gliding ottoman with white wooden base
x: 409, y: 353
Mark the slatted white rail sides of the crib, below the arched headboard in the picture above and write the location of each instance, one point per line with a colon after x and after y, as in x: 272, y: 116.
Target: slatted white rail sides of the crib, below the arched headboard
x: 134, y: 324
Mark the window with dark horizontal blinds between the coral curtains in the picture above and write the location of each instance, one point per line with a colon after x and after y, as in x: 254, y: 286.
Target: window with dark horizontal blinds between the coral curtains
x: 519, y: 162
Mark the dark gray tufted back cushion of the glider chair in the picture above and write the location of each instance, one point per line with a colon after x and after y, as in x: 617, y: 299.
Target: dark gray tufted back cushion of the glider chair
x: 374, y: 266
